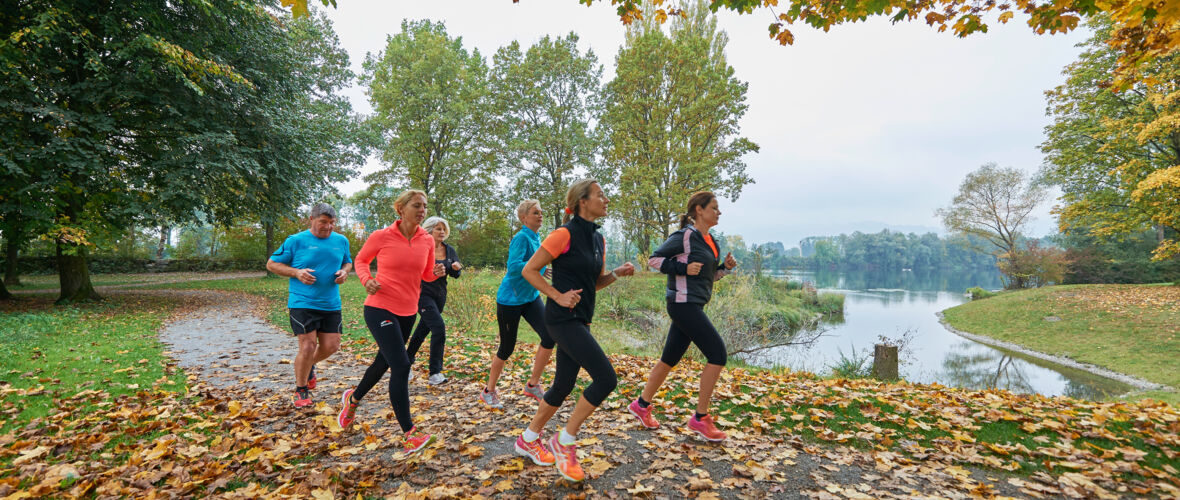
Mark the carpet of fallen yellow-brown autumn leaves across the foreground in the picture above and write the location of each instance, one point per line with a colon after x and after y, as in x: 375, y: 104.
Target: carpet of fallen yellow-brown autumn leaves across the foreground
x: 903, y: 439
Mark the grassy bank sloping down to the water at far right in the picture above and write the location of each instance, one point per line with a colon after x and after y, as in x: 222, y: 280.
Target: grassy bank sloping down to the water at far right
x: 1132, y: 330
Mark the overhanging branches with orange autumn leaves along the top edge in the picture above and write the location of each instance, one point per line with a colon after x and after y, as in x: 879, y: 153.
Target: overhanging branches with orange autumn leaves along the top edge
x: 1144, y: 30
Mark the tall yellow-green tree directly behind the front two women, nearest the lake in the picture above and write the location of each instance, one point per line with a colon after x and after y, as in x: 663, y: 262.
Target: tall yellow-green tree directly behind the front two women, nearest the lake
x: 672, y: 122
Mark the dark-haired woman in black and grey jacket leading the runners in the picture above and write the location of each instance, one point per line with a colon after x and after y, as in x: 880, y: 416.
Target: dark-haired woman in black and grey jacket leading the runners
x: 692, y: 261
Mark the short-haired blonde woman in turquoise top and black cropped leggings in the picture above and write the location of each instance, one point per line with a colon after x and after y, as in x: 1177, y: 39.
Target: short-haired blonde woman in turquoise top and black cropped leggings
x: 517, y: 299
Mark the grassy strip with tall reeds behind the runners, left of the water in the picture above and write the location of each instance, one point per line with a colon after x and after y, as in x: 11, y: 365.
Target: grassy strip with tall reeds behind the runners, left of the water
x: 630, y: 318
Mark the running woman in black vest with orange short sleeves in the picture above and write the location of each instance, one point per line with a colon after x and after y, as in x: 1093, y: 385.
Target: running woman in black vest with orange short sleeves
x: 578, y: 255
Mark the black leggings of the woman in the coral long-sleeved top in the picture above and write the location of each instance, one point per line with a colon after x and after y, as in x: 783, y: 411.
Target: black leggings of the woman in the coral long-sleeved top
x: 388, y: 331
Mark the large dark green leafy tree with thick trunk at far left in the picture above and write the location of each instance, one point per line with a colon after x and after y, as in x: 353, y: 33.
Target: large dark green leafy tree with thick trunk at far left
x: 162, y: 113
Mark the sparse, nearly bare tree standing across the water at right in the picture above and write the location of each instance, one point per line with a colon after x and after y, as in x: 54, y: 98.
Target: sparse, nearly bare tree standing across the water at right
x: 995, y: 205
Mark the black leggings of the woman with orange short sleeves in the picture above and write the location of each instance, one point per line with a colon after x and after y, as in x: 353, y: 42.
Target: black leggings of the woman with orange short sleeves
x: 578, y: 350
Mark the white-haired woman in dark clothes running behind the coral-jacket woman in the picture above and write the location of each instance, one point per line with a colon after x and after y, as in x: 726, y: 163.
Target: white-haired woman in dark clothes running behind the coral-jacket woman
x: 432, y: 301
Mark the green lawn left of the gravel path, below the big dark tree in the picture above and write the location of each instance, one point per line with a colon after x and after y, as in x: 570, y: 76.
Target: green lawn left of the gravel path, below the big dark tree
x: 56, y: 352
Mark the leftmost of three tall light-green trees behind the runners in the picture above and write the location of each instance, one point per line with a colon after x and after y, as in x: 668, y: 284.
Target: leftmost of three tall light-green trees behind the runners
x: 431, y: 104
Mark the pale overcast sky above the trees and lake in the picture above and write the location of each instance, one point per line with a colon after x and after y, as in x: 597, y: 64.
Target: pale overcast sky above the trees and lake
x: 866, y: 127
